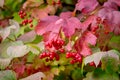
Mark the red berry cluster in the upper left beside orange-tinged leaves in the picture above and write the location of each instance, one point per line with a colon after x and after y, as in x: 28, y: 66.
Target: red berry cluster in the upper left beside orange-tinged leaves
x: 26, y: 21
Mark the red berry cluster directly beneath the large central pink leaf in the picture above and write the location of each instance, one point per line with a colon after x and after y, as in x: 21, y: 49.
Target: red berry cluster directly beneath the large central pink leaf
x: 57, y: 44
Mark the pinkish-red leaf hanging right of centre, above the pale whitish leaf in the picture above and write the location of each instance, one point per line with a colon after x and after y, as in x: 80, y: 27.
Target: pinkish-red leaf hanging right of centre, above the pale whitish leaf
x: 82, y: 44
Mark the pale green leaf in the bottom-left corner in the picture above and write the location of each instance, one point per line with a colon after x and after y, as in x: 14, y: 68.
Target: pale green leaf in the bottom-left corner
x: 7, y: 75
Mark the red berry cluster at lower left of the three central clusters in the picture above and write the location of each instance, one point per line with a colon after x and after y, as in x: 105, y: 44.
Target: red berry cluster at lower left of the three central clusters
x: 49, y: 56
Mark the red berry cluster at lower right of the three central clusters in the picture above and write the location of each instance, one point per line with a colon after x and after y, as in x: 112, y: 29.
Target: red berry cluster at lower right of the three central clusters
x: 75, y: 57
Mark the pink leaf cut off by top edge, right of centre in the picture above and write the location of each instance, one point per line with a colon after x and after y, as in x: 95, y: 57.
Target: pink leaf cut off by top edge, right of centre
x: 86, y: 6
